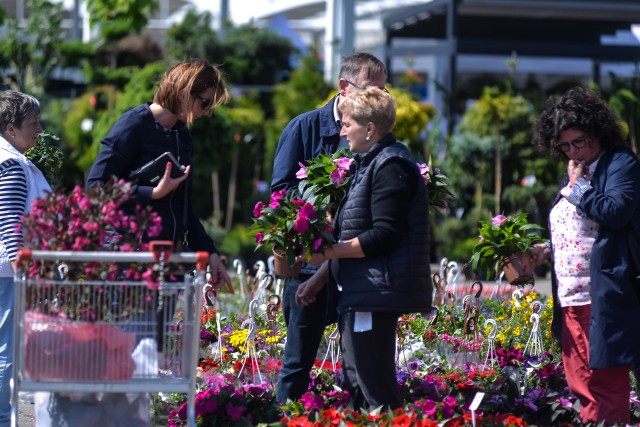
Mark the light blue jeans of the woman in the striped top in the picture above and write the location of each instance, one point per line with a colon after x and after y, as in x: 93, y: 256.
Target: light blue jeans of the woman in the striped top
x: 6, y: 347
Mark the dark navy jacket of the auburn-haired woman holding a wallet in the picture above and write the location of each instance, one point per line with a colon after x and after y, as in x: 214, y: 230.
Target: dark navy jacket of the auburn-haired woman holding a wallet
x: 135, y: 139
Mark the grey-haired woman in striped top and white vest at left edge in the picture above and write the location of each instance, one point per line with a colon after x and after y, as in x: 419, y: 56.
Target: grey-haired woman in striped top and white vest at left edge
x: 20, y: 183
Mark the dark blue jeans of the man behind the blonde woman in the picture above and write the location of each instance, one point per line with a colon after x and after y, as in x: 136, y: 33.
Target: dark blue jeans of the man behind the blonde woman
x: 305, y: 327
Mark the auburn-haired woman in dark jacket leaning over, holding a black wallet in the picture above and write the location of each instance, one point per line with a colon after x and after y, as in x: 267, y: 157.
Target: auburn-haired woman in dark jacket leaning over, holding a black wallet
x: 188, y: 91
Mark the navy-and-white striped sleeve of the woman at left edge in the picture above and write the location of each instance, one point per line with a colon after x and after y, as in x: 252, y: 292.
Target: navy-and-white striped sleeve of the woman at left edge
x: 13, y: 200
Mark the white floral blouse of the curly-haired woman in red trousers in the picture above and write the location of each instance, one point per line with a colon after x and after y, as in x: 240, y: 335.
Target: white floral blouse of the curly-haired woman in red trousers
x: 573, y: 235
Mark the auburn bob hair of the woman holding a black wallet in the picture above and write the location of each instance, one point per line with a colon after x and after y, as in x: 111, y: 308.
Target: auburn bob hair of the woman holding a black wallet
x: 192, y: 77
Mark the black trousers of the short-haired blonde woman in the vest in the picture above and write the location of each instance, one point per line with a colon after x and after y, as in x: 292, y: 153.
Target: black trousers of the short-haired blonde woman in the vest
x: 368, y: 367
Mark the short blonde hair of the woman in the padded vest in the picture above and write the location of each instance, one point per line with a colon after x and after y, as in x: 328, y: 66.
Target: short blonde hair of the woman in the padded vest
x: 371, y: 105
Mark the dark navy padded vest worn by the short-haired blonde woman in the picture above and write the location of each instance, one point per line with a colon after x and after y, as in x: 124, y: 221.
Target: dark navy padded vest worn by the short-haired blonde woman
x: 397, y: 280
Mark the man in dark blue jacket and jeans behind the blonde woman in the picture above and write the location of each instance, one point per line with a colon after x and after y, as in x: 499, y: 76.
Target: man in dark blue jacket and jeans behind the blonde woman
x: 306, y: 137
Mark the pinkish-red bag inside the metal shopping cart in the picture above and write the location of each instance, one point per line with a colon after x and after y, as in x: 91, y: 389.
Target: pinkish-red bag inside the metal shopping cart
x: 57, y: 348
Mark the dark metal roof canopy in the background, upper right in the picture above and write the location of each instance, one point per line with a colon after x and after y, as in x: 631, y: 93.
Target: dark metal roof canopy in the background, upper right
x: 536, y: 28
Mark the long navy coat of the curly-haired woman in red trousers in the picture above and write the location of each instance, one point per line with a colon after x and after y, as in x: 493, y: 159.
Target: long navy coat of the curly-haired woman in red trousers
x: 612, y: 199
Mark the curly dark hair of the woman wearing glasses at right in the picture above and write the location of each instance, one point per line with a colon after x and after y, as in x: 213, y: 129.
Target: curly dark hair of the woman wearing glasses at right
x: 579, y: 108
